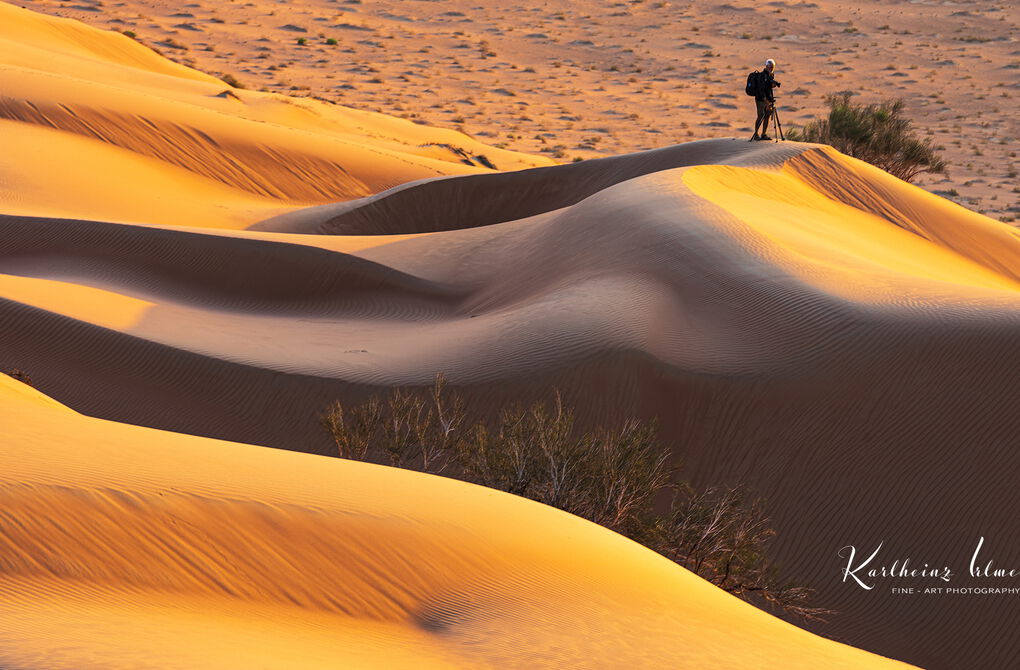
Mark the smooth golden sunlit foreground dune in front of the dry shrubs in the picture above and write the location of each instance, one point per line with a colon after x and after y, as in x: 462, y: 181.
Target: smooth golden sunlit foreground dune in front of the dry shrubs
x: 123, y: 546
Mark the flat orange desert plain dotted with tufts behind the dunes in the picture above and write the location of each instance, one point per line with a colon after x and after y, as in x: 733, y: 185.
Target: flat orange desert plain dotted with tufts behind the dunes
x: 579, y: 80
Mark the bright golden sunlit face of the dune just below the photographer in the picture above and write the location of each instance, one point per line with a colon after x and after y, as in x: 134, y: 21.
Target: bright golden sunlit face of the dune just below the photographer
x: 842, y: 247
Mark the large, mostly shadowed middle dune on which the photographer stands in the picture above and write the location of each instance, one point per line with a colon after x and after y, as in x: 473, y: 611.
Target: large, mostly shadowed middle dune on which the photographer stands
x: 842, y: 342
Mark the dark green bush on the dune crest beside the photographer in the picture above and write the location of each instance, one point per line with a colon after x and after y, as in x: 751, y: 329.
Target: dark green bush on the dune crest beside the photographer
x: 878, y: 134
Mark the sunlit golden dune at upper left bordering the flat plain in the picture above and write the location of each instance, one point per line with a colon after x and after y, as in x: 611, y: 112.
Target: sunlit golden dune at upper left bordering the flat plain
x: 194, y: 150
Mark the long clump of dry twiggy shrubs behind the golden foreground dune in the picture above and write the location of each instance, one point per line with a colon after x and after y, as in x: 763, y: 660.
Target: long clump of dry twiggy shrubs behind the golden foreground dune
x: 611, y: 477
